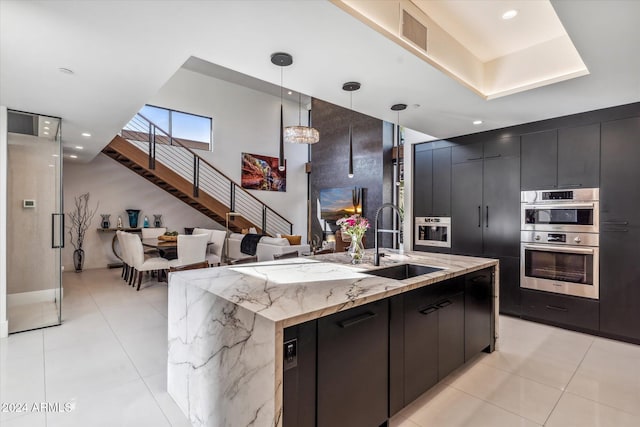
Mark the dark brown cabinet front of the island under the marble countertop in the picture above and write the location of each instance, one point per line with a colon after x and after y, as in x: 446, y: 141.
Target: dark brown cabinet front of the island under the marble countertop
x: 360, y: 366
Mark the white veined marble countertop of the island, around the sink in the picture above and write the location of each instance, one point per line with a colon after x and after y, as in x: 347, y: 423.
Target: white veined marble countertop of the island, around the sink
x: 292, y: 291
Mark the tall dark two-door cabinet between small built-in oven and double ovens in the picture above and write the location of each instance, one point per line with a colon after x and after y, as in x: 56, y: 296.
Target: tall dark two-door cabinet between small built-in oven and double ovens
x: 485, y: 209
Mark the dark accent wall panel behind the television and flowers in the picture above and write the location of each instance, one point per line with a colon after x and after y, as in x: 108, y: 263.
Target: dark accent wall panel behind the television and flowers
x: 372, y: 162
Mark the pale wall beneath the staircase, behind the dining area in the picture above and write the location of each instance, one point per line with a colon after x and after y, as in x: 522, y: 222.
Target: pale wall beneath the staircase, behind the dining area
x: 116, y: 189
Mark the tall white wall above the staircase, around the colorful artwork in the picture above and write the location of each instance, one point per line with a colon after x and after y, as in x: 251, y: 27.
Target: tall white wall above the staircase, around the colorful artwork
x: 244, y: 120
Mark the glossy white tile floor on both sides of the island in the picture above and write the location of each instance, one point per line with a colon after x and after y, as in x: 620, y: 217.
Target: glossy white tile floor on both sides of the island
x: 108, y: 361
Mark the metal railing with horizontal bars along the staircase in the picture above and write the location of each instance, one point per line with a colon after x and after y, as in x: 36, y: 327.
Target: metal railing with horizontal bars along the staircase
x: 159, y: 145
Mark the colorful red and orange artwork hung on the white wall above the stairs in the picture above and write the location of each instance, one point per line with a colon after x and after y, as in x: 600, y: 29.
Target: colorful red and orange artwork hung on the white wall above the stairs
x: 261, y: 173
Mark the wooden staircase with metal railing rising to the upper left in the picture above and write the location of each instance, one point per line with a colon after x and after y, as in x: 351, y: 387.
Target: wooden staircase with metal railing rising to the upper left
x: 168, y: 163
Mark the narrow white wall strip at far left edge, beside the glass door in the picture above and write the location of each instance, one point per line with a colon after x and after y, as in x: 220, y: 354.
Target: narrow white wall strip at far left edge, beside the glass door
x: 4, y: 325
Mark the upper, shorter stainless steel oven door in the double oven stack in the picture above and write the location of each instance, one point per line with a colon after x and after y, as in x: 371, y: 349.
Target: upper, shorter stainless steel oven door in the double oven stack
x: 572, y: 217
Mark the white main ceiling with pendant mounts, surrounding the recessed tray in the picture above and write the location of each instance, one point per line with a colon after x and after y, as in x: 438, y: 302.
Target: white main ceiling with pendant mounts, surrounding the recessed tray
x: 122, y: 53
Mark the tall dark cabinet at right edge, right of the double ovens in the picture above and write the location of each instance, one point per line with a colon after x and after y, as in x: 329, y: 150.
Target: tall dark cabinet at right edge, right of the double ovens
x: 620, y: 229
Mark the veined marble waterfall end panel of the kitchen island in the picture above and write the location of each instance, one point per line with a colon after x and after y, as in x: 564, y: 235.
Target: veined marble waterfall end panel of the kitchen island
x: 221, y: 365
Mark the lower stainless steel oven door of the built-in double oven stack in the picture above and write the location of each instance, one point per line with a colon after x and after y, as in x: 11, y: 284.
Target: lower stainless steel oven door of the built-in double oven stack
x: 561, y: 269
